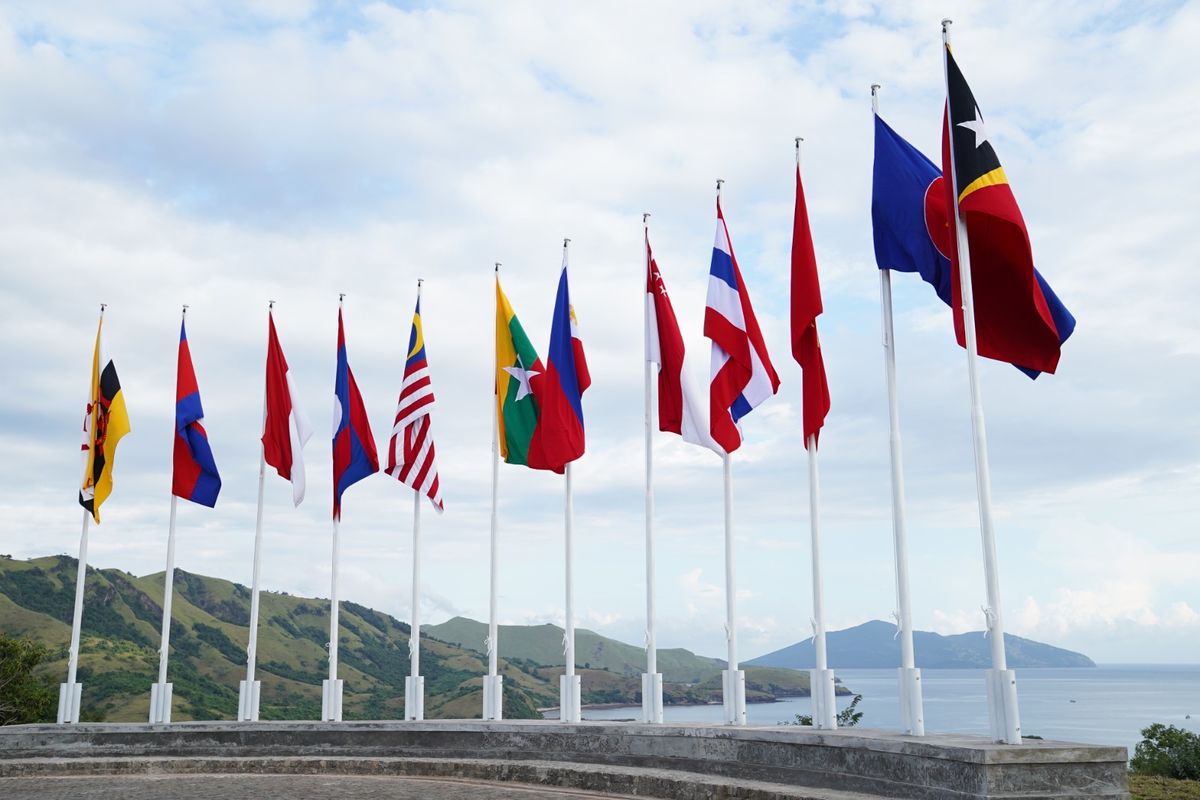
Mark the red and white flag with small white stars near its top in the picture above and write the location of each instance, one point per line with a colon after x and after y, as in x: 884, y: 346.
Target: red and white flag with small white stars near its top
x: 681, y: 411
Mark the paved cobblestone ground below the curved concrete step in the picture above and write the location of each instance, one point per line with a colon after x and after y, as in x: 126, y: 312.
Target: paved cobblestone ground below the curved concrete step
x: 267, y: 787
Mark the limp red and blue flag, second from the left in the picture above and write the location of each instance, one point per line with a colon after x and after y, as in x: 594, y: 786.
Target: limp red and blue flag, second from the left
x: 195, y: 476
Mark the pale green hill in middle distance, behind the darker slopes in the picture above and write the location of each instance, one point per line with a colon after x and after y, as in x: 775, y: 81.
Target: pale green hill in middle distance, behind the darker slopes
x: 544, y: 645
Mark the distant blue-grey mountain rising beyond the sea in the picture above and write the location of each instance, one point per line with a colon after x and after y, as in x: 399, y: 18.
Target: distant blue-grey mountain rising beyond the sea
x: 874, y: 646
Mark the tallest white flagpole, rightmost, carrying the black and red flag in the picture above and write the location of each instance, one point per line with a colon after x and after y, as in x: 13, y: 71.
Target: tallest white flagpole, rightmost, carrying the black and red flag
x: 1003, y: 707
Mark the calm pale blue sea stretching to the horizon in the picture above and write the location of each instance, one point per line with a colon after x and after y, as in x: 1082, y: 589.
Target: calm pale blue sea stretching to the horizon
x: 1105, y: 706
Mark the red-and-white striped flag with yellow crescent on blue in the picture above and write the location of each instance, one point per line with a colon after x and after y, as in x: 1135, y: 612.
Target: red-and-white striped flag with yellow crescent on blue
x: 411, y: 455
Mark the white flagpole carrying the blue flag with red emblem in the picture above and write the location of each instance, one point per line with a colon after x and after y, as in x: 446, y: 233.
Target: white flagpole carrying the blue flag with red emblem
x: 913, y: 711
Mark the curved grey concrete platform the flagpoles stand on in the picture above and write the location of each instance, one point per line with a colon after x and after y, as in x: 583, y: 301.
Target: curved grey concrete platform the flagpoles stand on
x: 677, y: 761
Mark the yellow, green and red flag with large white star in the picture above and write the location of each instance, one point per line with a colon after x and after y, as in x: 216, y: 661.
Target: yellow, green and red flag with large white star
x: 518, y: 371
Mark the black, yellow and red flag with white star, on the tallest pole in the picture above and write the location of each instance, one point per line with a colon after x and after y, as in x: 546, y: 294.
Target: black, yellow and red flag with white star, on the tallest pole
x: 1013, y: 320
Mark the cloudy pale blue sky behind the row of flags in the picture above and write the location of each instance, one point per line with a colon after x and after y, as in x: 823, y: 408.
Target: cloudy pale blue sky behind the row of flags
x: 226, y: 155
